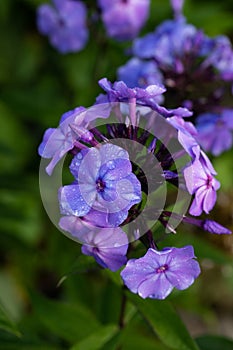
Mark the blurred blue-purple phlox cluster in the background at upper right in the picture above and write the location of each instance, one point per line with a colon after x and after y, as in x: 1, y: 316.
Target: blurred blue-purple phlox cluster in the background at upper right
x: 180, y: 56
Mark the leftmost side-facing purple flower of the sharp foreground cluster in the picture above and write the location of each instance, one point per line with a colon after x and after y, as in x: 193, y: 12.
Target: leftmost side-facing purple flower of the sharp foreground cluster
x: 58, y: 141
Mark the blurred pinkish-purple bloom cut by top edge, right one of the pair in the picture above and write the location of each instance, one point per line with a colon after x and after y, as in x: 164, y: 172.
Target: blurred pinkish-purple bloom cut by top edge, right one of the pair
x: 124, y: 19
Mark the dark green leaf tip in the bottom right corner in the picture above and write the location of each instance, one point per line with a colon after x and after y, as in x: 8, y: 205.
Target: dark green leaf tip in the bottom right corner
x: 212, y: 342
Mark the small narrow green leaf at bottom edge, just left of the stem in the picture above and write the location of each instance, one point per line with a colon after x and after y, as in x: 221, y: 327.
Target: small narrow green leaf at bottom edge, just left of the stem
x: 98, y: 339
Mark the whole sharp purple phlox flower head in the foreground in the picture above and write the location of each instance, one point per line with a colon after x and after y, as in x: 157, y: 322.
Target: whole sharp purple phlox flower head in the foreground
x: 112, y: 199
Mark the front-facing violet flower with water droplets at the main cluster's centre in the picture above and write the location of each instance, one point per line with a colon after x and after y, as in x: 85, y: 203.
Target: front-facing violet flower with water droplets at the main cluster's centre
x: 105, y: 187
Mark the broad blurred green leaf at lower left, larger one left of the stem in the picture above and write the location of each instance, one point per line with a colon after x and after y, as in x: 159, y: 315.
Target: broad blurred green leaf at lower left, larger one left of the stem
x: 71, y: 322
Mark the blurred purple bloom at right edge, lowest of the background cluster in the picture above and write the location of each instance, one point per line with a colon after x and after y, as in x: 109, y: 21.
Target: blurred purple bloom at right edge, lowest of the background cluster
x: 215, y: 131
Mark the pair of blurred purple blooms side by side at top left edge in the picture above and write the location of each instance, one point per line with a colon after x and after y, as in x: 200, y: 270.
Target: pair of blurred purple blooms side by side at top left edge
x: 66, y: 22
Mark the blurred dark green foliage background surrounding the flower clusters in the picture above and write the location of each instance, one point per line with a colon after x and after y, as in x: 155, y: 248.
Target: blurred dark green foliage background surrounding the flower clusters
x: 38, y: 85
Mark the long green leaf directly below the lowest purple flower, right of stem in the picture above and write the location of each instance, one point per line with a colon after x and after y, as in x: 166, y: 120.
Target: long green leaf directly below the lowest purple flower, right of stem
x: 165, y: 322
